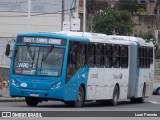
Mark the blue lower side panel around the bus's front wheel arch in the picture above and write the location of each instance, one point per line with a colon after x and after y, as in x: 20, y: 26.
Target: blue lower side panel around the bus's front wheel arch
x: 72, y: 86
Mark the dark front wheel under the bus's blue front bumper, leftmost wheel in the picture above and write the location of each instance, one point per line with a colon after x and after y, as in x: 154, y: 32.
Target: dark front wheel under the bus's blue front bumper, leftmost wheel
x: 31, y: 101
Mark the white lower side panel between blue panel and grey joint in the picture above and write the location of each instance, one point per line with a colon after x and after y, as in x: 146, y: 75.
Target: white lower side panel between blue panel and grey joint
x: 101, y: 82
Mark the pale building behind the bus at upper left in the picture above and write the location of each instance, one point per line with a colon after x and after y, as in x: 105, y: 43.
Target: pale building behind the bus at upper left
x: 45, y: 17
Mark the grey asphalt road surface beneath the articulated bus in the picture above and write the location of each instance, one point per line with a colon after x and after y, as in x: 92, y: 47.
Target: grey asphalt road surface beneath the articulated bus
x: 151, y: 104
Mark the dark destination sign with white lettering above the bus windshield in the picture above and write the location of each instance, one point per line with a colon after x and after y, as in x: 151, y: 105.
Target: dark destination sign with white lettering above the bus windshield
x: 41, y: 40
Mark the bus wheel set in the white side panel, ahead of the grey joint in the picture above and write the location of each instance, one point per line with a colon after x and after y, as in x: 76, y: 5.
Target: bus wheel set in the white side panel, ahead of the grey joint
x: 115, y: 97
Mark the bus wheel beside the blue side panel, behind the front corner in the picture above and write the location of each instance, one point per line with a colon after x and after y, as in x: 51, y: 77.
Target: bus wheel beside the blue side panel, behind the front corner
x: 80, y: 98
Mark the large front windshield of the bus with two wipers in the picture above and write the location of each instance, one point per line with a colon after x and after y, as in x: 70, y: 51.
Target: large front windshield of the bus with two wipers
x: 39, y: 61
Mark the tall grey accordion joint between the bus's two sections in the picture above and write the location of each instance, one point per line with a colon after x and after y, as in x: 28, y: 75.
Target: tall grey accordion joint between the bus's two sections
x: 132, y: 70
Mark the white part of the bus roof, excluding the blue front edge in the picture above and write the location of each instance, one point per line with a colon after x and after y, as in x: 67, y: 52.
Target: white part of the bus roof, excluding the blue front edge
x: 98, y: 37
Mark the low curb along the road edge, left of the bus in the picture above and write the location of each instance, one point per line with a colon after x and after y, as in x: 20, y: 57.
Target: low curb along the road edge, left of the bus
x: 11, y: 99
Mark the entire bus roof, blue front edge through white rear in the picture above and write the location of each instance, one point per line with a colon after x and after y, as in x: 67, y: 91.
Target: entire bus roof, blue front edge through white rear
x: 97, y: 37
